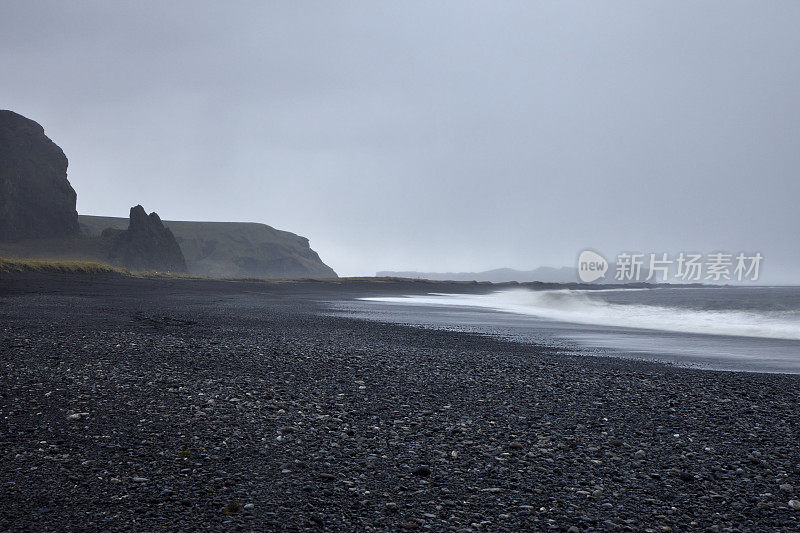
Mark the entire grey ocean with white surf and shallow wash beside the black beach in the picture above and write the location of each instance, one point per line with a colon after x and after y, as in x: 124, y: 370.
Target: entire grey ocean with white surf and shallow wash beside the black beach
x: 720, y: 328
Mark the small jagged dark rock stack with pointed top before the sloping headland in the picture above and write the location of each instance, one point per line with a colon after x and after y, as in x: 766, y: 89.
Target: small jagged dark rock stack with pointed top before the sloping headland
x: 146, y: 244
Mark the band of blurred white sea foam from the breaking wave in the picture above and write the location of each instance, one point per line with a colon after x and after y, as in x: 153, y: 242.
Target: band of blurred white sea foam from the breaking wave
x: 581, y: 307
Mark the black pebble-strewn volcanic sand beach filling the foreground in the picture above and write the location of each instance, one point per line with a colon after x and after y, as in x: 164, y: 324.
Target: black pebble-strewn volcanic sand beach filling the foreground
x: 132, y: 404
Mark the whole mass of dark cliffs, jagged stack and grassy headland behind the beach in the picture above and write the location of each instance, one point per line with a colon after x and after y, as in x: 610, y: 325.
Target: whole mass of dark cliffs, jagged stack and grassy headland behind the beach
x: 38, y: 219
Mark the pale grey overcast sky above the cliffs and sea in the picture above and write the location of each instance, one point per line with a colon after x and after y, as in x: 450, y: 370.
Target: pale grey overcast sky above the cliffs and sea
x: 432, y: 136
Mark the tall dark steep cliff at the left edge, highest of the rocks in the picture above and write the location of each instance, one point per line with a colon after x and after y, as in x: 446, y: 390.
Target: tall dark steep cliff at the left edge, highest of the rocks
x: 36, y: 199
